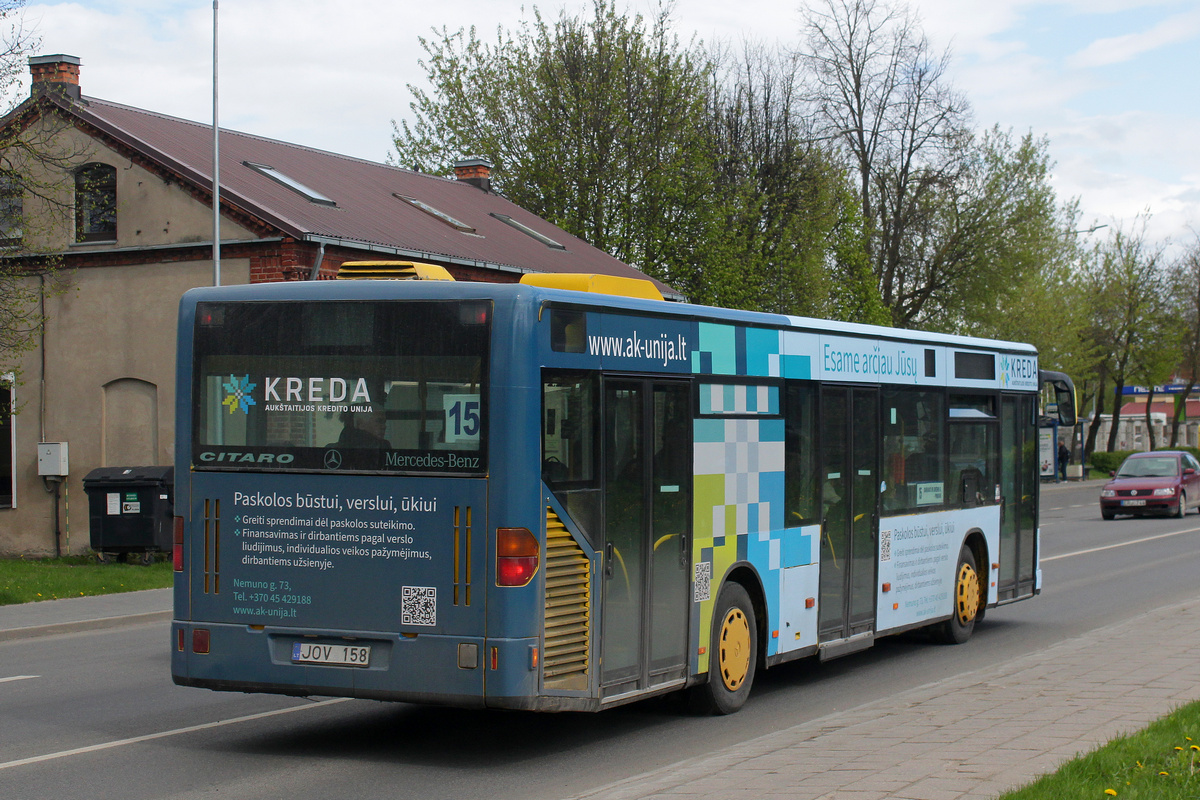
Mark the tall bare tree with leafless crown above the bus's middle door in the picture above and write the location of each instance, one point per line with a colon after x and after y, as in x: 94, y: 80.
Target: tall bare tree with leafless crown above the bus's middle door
x: 881, y: 94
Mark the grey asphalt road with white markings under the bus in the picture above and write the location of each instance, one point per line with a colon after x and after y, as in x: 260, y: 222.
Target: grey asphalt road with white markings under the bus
x: 103, y: 719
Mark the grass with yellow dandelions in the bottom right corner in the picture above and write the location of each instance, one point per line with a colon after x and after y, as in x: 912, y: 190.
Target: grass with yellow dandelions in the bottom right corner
x: 1159, y: 763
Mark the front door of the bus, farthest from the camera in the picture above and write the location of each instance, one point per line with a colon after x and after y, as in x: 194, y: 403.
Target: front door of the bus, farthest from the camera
x: 1019, y: 497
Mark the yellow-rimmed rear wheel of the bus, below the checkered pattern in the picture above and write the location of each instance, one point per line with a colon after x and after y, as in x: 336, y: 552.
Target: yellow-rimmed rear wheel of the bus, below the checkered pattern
x: 734, y: 654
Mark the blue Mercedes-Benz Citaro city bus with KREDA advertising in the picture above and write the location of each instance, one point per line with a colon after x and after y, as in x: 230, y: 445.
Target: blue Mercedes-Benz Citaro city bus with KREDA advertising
x: 543, y: 497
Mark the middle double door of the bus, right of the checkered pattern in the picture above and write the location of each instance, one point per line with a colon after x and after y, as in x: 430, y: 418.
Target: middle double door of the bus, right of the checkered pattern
x: 850, y: 498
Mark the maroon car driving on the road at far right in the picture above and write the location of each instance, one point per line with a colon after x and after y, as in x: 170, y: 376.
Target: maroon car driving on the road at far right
x: 1162, y: 482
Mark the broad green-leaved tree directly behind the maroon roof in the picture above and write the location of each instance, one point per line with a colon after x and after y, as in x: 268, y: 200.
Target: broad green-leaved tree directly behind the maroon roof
x: 597, y: 125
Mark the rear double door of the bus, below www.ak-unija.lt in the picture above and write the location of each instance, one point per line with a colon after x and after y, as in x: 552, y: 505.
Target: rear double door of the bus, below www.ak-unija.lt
x: 647, y: 533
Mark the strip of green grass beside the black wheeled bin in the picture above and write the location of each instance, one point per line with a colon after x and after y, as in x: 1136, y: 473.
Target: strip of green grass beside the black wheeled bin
x: 27, y: 581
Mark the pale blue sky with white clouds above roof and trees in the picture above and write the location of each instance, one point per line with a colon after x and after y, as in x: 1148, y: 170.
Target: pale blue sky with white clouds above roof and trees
x: 1114, y: 86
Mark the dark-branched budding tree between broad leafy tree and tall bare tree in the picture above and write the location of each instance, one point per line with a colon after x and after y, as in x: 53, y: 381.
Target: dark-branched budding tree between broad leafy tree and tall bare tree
x: 791, y: 230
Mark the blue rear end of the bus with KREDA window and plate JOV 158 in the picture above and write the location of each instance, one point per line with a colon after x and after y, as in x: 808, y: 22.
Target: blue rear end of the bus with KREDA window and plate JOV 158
x: 334, y: 522
